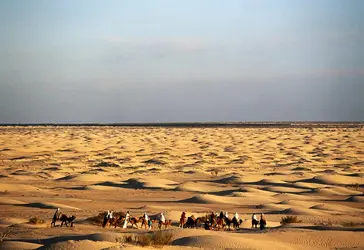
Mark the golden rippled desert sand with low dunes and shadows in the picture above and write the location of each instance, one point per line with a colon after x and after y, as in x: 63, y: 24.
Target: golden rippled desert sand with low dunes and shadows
x: 314, y: 176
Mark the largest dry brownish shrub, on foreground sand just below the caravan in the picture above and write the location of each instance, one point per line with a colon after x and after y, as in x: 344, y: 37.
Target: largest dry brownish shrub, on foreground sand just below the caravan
x: 158, y: 238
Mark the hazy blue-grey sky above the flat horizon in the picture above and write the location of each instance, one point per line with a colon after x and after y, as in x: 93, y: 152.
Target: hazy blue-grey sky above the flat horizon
x: 121, y: 61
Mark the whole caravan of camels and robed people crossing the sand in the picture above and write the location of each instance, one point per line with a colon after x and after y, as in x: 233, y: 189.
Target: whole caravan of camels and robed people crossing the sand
x: 212, y: 221
